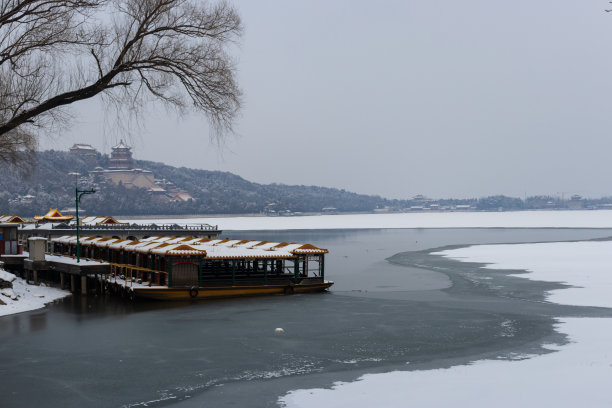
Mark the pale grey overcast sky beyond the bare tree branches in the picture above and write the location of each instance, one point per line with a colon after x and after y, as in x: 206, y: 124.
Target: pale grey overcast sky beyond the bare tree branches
x: 397, y: 98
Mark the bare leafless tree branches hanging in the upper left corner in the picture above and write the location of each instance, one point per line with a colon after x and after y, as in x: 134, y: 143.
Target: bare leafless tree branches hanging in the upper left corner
x: 56, y: 52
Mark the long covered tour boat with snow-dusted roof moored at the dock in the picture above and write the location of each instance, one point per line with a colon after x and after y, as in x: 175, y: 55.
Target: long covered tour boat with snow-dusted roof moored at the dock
x: 180, y: 268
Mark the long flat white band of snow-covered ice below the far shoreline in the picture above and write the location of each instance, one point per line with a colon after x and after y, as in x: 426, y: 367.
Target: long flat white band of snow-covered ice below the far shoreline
x: 512, y: 219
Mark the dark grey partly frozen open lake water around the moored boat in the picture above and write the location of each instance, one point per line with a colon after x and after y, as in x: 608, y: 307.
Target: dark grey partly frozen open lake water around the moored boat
x: 418, y: 312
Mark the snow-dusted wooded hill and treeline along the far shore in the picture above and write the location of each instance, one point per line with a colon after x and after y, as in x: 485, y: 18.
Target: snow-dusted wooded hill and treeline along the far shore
x: 49, y: 185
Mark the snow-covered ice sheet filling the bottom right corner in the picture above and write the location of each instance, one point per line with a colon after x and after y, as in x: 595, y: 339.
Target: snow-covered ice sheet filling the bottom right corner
x: 576, y: 376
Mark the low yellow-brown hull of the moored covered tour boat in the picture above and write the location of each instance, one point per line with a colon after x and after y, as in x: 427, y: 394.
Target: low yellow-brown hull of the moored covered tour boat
x: 213, y: 292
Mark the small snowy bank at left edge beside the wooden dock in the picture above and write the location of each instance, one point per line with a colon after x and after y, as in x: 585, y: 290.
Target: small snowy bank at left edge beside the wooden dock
x: 23, y: 297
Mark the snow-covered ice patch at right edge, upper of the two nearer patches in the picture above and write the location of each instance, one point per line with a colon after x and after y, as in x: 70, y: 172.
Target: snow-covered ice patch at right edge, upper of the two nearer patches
x: 587, y: 265
